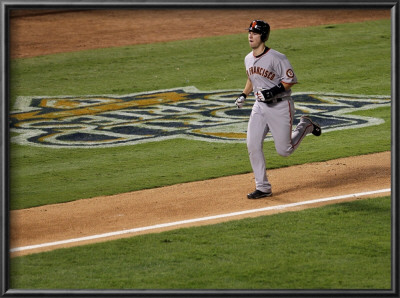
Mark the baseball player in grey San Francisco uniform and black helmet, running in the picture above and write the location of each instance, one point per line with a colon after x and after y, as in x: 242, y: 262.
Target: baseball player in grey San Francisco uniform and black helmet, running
x: 270, y: 77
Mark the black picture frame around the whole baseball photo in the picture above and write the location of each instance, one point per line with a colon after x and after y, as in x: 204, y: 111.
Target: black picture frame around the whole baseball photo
x: 7, y: 6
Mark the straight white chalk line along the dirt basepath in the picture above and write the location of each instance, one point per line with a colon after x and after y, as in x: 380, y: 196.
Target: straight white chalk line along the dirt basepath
x: 194, y: 220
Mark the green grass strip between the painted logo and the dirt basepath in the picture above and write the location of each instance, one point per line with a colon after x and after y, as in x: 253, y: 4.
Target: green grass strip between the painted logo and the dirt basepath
x: 81, y: 173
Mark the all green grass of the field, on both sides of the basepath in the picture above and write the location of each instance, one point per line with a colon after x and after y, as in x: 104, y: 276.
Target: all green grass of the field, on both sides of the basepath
x: 344, y: 246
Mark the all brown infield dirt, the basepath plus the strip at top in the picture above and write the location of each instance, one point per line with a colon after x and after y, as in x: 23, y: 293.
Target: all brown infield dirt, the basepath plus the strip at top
x: 44, y: 32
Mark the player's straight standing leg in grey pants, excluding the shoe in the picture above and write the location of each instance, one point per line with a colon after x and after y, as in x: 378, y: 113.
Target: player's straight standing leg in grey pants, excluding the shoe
x: 256, y: 131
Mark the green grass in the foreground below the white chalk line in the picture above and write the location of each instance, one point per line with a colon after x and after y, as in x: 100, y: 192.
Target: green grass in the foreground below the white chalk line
x: 342, y: 246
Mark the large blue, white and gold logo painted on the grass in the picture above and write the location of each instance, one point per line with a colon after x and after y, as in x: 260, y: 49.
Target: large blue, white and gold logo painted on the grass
x: 110, y: 120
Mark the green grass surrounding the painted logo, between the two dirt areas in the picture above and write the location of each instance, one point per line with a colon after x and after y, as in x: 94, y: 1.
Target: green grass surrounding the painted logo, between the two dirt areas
x: 333, y: 62
